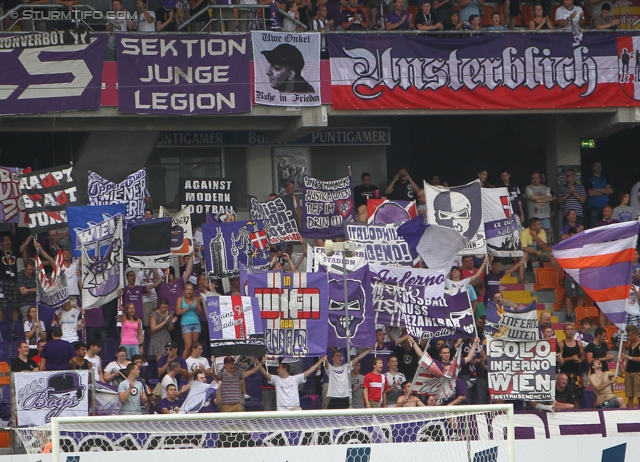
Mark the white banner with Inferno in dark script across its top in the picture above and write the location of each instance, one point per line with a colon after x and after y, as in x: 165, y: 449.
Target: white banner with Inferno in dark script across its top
x: 394, y: 287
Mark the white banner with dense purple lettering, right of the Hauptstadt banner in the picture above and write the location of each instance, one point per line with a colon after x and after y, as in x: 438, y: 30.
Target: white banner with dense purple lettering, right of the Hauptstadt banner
x: 131, y: 191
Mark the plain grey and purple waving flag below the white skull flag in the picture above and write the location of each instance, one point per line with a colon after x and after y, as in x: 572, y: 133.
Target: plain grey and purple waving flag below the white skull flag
x: 437, y: 245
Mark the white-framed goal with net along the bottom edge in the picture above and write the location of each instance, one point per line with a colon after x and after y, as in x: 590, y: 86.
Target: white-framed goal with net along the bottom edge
x: 456, y: 433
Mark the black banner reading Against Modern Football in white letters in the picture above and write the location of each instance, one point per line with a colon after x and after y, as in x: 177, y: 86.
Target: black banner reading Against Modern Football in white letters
x: 214, y: 195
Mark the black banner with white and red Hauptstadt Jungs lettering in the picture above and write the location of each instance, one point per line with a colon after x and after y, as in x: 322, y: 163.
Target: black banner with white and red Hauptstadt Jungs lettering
x: 46, y: 195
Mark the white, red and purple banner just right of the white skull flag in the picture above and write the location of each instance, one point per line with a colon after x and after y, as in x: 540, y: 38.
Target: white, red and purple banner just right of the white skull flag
x: 503, y: 237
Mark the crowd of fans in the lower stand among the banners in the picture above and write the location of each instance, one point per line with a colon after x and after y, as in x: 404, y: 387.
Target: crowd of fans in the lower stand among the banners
x: 162, y: 332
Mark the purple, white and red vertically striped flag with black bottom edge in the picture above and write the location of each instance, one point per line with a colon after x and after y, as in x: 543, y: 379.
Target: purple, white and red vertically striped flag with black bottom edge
x: 235, y: 327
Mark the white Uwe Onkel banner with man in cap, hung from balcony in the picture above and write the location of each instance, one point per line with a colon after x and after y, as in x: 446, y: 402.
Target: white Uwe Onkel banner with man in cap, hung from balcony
x: 286, y: 68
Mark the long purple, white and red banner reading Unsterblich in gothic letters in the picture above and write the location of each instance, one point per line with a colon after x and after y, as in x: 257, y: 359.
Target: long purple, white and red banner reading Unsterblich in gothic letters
x: 488, y: 72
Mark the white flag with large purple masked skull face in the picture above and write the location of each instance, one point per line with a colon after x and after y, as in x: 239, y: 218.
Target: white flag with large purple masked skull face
x: 459, y: 208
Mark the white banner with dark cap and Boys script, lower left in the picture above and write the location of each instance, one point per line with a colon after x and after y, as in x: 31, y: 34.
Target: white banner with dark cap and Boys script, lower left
x: 39, y: 396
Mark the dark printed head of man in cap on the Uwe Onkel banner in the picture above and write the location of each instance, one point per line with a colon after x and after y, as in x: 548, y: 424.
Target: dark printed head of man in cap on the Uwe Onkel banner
x: 285, y: 70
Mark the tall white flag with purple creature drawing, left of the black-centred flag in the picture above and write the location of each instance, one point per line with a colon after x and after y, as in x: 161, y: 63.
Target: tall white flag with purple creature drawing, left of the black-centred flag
x: 102, y: 274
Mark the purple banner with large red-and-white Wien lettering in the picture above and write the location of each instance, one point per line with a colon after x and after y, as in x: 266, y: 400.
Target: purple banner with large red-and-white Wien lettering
x: 293, y: 311
